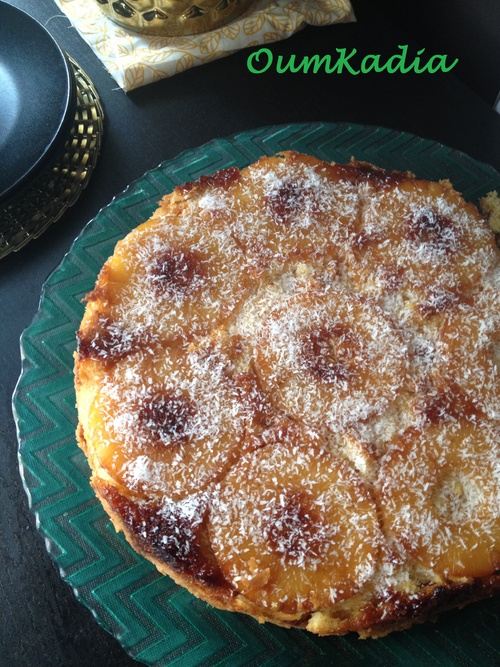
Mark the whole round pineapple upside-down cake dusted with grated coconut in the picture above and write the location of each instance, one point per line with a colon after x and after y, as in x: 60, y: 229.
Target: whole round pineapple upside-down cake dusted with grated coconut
x: 287, y: 384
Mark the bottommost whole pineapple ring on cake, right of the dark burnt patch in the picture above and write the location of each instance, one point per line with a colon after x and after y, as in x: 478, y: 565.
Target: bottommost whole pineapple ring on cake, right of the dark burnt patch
x: 293, y: 528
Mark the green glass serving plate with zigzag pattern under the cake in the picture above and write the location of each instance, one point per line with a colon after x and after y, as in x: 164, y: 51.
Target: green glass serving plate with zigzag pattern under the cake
x: 157, y: 622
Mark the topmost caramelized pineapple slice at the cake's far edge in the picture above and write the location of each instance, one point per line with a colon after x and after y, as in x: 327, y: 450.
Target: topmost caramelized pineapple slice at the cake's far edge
x: 290, y: 206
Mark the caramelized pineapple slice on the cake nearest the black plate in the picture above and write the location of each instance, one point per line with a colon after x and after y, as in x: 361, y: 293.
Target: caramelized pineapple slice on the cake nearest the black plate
x: 173, y: 277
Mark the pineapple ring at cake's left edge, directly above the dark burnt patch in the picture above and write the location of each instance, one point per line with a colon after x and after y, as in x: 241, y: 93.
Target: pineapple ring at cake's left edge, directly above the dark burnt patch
x: 168, y: 426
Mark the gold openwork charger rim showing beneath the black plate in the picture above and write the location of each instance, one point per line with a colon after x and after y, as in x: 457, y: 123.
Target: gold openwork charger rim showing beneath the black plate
x: 28, y: 215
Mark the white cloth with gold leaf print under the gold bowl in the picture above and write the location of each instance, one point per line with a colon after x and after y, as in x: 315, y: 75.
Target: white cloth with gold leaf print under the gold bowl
x: 135, y: 60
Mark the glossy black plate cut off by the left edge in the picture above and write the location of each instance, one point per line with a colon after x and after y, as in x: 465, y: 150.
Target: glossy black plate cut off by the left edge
x: 37, y: 99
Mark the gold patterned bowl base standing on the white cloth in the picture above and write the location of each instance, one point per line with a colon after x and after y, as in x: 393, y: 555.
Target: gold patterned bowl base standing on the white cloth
x: 172, y: 17
